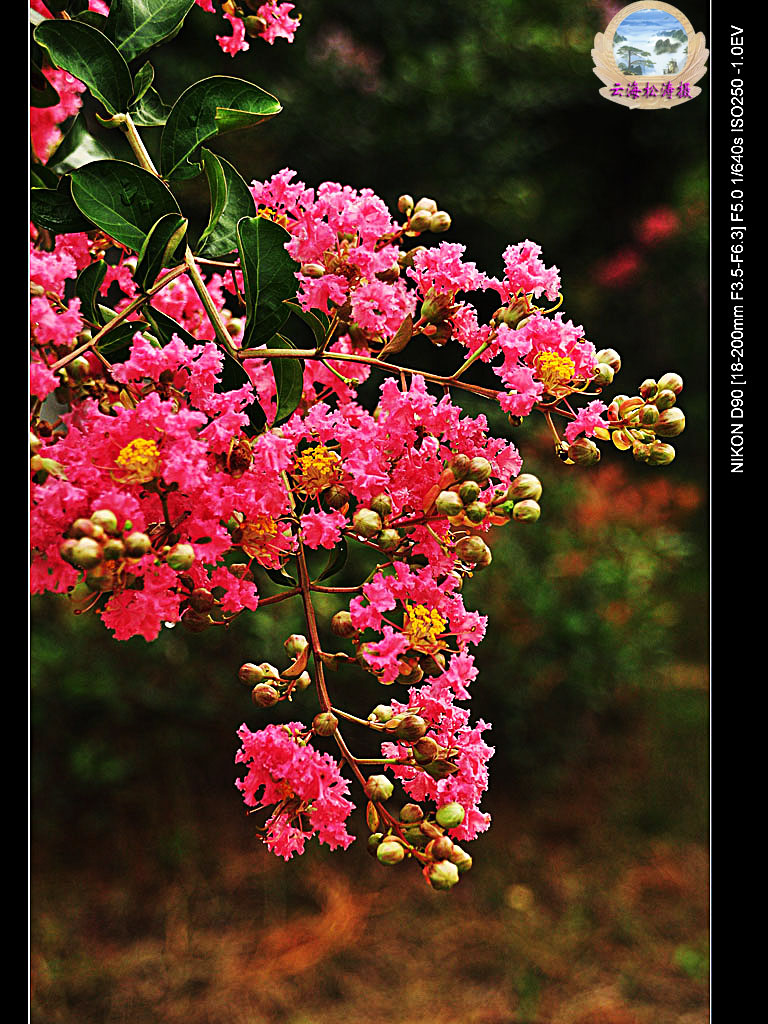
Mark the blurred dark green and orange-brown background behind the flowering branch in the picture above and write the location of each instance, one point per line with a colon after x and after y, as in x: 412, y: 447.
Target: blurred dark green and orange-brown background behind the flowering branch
x: 152, y: 899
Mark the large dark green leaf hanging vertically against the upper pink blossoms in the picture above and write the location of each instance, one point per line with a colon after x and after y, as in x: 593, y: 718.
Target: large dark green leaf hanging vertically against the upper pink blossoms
x: 270, y: 278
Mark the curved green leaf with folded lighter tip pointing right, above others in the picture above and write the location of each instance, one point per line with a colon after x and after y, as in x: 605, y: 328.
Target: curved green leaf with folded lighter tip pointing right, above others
x: 207, y: 109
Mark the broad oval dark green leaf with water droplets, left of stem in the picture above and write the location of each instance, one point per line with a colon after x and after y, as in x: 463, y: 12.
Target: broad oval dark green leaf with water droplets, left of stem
x: 121, y: 199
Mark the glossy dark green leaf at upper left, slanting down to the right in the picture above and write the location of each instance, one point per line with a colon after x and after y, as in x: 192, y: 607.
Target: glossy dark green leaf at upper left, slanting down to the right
x: 89, y: 55
